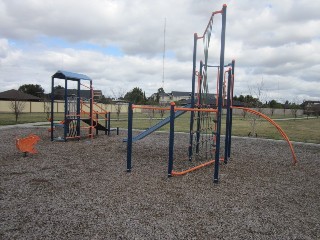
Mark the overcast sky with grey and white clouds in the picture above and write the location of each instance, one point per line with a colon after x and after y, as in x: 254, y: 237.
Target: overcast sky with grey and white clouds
x: 120, y: 43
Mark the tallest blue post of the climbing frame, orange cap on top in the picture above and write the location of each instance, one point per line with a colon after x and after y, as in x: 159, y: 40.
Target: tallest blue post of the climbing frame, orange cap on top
x: 217, y: 153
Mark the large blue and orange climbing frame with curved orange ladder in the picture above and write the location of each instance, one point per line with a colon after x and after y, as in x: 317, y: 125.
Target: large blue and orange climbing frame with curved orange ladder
x: 205, y: 111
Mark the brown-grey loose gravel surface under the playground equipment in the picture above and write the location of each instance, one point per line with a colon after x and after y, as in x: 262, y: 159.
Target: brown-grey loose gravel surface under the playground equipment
x: 80, y: 190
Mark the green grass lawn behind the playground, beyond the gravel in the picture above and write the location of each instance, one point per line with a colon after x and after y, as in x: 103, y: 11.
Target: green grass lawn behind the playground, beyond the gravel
x: 302, y: 130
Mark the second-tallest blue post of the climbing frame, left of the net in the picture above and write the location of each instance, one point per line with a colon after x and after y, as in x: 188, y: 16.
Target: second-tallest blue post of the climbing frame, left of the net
x: 195, y: 39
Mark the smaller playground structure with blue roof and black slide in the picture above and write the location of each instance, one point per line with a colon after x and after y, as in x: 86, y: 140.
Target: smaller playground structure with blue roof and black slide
x: 80, y: 116
